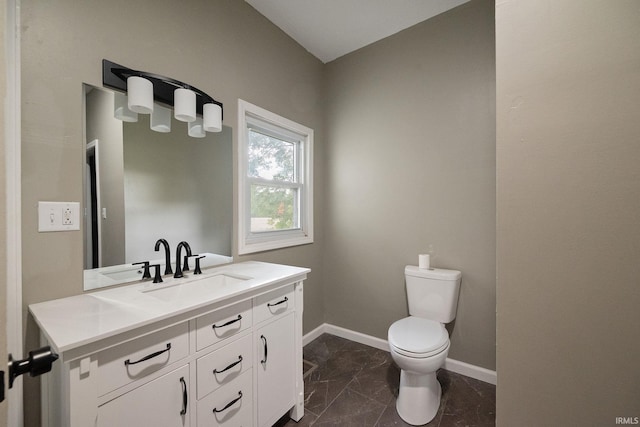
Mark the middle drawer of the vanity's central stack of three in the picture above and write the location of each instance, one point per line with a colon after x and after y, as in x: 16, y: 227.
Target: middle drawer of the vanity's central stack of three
x: 224, y: 365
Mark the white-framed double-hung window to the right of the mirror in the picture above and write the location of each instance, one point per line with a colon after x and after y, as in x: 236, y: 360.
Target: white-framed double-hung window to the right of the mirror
x: 275, y: 193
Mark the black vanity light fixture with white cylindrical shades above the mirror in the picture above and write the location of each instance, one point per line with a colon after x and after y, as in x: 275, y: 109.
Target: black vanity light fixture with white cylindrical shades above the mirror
x: 189, y: 103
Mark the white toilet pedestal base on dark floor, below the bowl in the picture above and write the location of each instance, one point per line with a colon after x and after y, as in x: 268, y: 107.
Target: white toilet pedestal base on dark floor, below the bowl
x: 418, y: 397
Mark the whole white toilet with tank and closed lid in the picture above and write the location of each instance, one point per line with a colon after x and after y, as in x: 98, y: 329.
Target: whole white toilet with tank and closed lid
x: 419, y: 344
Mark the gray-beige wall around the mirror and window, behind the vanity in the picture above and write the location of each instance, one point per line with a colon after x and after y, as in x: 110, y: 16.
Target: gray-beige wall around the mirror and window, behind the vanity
x: 223, y: 47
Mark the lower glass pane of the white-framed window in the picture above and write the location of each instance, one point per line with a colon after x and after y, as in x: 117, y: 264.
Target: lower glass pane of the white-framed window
x: 273, y: 208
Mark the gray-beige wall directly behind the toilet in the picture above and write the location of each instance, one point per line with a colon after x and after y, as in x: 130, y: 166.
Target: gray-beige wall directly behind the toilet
x: 411, y: 168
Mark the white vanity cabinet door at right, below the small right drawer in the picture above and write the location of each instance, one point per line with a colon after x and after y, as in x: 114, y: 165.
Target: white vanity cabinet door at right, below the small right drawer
x: 275, y: 363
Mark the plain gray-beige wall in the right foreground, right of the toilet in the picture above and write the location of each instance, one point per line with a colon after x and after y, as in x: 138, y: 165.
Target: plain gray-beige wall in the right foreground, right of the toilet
x: 568, y: 204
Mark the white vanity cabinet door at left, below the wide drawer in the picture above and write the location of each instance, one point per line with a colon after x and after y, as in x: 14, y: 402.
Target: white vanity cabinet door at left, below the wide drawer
x: 162, y: 402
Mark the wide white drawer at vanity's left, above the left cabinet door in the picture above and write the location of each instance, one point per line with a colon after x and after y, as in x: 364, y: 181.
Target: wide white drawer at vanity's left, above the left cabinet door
x: 133, y: 360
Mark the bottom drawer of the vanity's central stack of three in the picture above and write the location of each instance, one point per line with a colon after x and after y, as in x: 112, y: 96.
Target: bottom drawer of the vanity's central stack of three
x: 231, y: 405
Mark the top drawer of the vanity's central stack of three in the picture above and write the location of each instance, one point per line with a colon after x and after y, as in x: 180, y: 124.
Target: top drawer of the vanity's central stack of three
x: 214, y: 327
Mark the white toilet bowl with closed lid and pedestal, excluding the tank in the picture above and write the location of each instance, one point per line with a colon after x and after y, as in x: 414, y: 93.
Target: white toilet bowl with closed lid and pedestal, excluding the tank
x: 419, y: 347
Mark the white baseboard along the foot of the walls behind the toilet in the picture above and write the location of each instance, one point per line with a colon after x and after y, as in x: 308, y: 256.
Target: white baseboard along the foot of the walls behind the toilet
x: 452, y: 365
